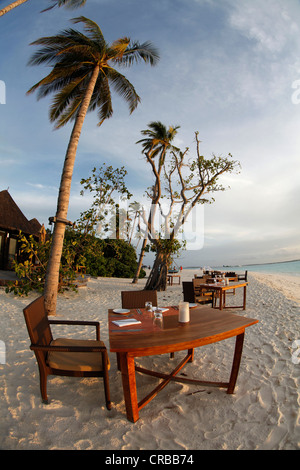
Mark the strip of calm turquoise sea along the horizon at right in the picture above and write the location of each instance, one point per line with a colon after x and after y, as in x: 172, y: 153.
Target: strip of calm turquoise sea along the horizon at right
x: 290, y: 267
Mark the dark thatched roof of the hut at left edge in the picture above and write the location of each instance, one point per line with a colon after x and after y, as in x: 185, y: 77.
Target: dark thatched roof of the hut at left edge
x: 13, y: 219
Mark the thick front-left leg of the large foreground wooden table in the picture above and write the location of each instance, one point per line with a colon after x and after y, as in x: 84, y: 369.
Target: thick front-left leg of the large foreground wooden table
x: 129, y: 387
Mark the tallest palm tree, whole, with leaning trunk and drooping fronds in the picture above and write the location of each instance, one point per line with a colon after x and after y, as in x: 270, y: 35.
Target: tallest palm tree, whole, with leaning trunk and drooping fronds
x: 80, y: 78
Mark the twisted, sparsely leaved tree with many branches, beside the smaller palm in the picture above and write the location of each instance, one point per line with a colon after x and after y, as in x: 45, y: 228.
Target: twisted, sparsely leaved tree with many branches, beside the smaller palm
x: 188, y: 182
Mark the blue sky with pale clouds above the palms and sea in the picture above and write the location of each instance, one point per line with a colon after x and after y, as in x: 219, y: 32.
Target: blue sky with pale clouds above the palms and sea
x: 229, y: 69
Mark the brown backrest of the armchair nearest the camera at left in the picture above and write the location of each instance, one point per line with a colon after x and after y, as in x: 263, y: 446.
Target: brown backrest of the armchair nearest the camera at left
x: 37, y: 322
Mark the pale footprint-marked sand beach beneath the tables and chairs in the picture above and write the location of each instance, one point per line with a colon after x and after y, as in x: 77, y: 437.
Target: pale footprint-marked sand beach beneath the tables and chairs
x: 263, y: 413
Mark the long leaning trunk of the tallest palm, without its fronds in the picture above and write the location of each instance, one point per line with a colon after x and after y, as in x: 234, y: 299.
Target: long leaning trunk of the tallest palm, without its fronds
x: 52, y: 275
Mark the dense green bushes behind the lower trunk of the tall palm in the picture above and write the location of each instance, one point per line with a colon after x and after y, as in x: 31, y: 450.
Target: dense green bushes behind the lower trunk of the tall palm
x: 105, y: 258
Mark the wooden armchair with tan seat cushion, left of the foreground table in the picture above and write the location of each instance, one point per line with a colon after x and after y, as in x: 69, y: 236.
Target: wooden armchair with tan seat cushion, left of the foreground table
x: 64, y: 356
